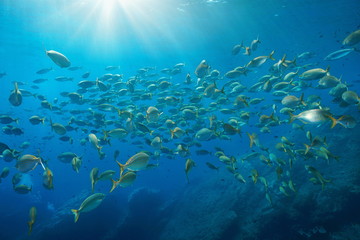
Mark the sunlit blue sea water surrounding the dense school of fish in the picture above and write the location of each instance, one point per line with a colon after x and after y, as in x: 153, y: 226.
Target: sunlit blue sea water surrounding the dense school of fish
x: 161, y: 204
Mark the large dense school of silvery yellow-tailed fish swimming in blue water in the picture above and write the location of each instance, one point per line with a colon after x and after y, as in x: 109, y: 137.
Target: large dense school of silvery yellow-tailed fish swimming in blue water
x: 169, y: 118
